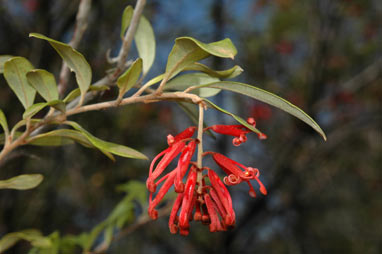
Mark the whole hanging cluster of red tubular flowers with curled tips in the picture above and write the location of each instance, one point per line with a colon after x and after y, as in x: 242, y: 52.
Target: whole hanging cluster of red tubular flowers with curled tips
x: 204, y: 196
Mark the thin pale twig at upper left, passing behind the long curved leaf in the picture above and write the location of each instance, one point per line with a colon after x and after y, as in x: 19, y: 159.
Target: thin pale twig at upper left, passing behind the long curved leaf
x: 80, y: 27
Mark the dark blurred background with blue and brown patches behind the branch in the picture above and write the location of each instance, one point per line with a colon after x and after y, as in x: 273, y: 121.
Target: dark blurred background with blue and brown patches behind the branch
x: 325, y: 56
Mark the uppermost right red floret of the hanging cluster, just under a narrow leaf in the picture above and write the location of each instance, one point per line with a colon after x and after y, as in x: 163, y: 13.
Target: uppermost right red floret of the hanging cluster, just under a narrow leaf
x: 238, y: 131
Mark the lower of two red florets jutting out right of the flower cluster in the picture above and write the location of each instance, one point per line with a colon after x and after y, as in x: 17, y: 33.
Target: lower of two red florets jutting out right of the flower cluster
x: 236, y: 173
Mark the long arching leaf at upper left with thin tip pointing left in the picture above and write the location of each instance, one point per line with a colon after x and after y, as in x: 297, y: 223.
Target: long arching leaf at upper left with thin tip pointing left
x: 75, y: 61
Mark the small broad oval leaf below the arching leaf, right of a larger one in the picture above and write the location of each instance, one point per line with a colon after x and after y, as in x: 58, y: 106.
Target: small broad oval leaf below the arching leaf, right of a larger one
x: 44, y: 83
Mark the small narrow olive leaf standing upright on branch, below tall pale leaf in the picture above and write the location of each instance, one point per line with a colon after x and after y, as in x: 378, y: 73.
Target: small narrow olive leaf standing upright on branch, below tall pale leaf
x: 128, y: 79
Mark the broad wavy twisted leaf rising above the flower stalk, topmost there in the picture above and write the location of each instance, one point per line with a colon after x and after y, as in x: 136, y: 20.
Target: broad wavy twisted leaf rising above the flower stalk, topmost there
x: 188, y: 50
